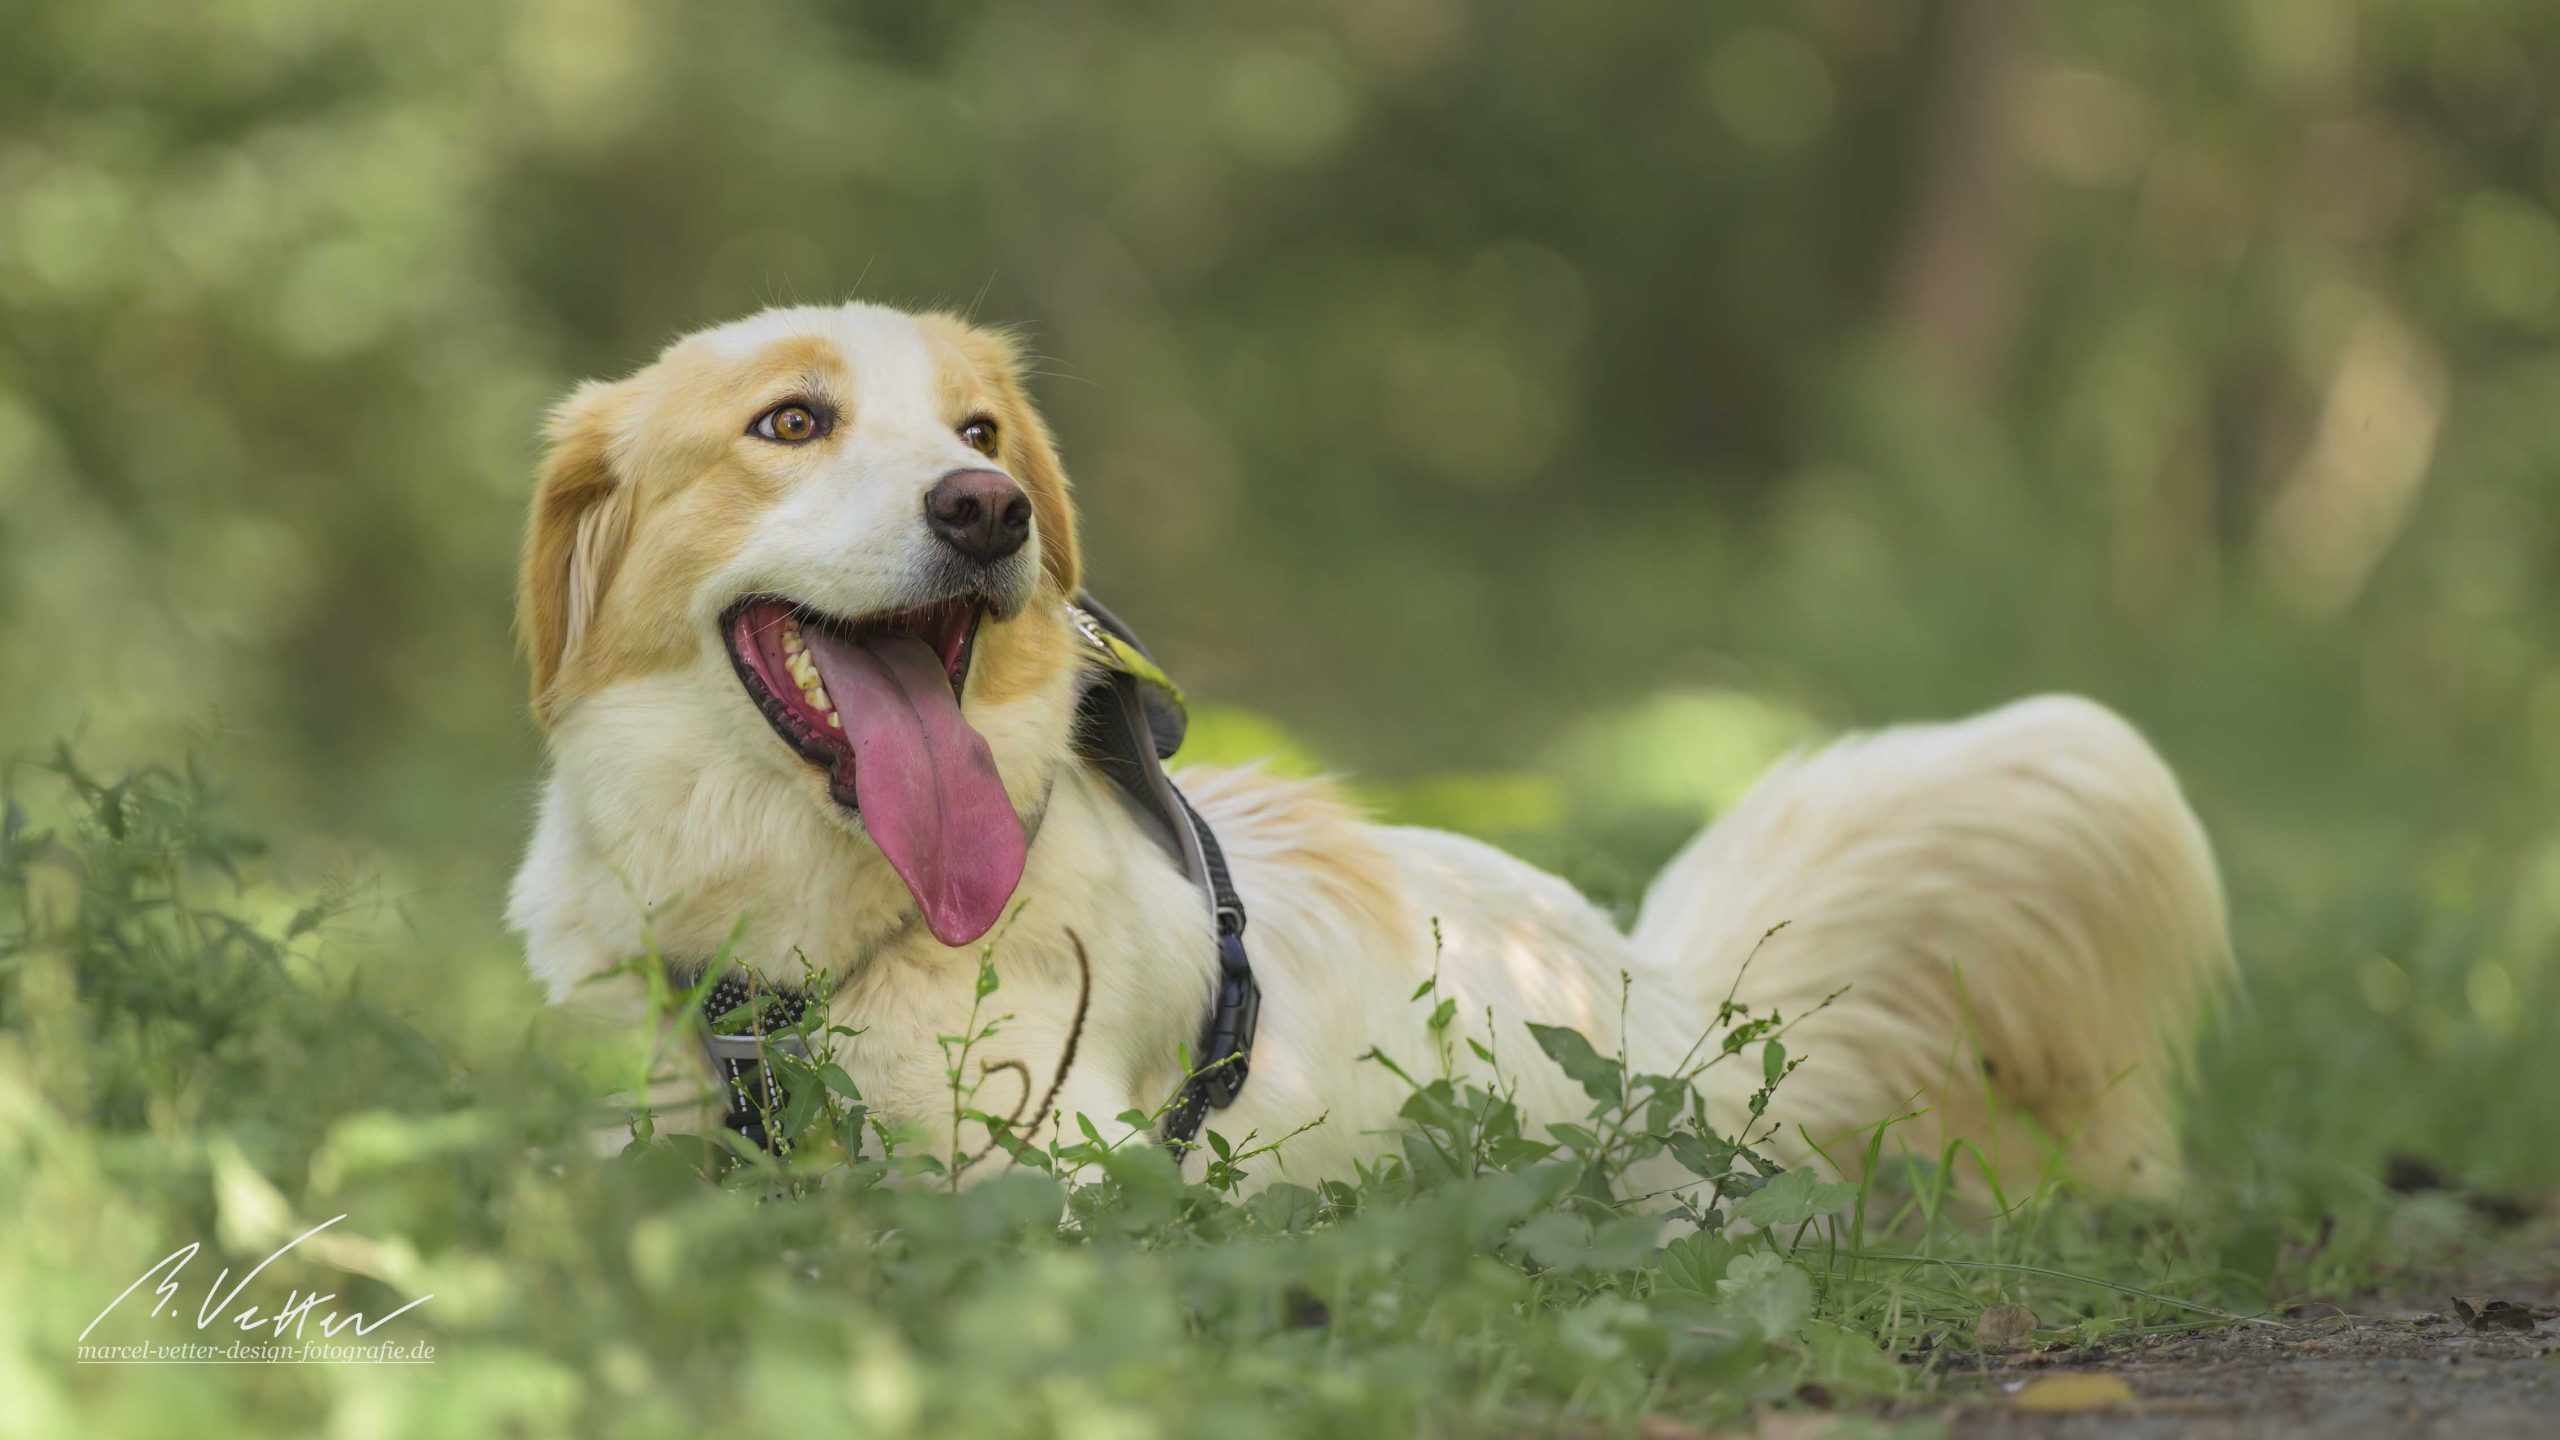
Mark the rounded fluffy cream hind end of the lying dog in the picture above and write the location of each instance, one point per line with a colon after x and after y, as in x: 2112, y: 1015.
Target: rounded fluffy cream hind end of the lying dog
x: 2024, y: 924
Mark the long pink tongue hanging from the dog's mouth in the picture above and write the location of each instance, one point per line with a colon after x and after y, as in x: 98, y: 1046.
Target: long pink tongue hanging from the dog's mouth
x: 928, y: 785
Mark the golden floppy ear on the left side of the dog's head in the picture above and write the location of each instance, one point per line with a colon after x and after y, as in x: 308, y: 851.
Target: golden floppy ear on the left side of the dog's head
x: 575, y: 539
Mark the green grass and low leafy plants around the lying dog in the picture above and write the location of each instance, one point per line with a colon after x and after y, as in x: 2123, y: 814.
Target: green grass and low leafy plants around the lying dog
x: 188, y: 1057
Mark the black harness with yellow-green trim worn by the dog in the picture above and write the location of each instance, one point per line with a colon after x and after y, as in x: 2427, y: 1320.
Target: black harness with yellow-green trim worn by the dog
x: 1128, y: 724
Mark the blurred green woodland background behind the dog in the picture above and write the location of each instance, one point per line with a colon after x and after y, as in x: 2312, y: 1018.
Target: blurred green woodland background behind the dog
x: 1542, y: 414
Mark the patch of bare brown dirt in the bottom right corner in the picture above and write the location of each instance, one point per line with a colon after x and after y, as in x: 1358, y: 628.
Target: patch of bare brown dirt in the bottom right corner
x: 2387, y: 1367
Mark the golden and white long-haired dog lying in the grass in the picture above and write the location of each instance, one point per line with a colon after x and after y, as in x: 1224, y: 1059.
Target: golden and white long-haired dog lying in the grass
x: 795, y: 601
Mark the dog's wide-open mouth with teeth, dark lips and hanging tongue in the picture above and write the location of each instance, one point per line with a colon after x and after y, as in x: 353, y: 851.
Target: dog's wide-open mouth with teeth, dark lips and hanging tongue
x: 877, y: 706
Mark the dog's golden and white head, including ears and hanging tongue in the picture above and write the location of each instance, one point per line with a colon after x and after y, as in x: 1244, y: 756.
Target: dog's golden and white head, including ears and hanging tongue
x: 846, y: 524
